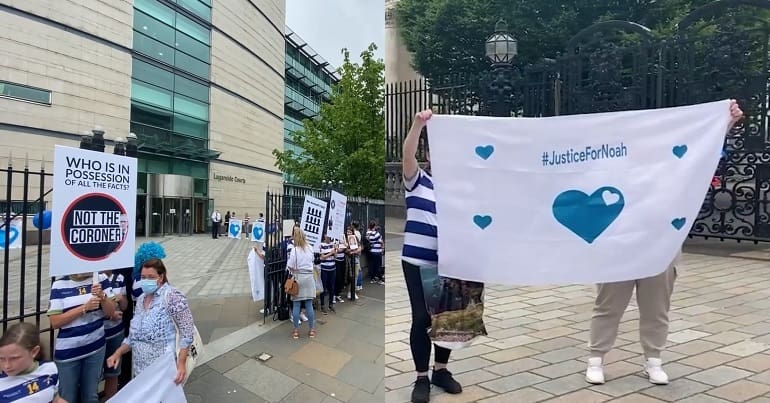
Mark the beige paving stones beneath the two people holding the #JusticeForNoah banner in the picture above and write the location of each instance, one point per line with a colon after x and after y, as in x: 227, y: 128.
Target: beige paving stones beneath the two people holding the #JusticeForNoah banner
x: 718, y: 349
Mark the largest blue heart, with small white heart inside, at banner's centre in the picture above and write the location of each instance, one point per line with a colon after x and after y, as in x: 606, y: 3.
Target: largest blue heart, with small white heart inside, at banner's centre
x: 588, y: 216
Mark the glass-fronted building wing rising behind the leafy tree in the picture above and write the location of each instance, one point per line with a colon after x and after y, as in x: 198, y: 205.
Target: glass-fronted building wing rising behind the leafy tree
x: 309, y: 81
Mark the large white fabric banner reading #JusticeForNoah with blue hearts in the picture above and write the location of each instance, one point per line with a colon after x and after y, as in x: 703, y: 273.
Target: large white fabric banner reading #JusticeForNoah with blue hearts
x: 571, y: 199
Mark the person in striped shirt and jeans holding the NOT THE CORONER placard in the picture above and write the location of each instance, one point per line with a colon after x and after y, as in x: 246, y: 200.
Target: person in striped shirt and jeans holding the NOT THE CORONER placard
x: 77, y: 308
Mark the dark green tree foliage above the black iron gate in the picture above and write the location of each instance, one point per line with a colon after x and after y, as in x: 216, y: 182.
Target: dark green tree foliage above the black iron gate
x: 447, y: 36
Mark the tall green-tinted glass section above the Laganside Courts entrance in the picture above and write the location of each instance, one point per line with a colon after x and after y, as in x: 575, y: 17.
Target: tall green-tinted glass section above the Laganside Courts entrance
x: 170, y: 87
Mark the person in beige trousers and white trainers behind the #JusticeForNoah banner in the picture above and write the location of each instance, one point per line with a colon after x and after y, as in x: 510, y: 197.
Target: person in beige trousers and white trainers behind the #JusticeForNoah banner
x: 653, y: 296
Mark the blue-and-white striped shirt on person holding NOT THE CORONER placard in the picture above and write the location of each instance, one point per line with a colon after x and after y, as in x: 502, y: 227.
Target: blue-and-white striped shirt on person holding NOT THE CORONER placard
x: 84, y: 335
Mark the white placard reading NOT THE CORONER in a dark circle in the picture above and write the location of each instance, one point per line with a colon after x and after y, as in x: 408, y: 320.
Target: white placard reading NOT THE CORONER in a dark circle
x: 94, y: 203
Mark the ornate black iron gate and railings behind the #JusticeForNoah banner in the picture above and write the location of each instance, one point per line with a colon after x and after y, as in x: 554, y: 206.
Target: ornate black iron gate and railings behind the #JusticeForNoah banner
x: 719, y: 51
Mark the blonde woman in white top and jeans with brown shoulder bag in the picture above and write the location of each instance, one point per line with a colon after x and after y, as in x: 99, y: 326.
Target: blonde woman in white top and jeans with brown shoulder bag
x: 300, y: 265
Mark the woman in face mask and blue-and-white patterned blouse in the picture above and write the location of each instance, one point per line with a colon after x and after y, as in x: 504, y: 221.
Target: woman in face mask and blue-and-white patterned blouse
x: 160, y: 311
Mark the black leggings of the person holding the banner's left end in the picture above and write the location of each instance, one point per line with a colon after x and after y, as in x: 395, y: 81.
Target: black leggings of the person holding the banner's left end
x: 419, y: 341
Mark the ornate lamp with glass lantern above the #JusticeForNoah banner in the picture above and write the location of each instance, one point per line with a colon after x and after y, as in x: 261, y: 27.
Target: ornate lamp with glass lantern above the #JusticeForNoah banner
x: 501, y: 49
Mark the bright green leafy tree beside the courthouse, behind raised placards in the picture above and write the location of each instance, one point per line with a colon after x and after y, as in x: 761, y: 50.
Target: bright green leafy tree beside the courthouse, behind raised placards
x: 346, y: 141
